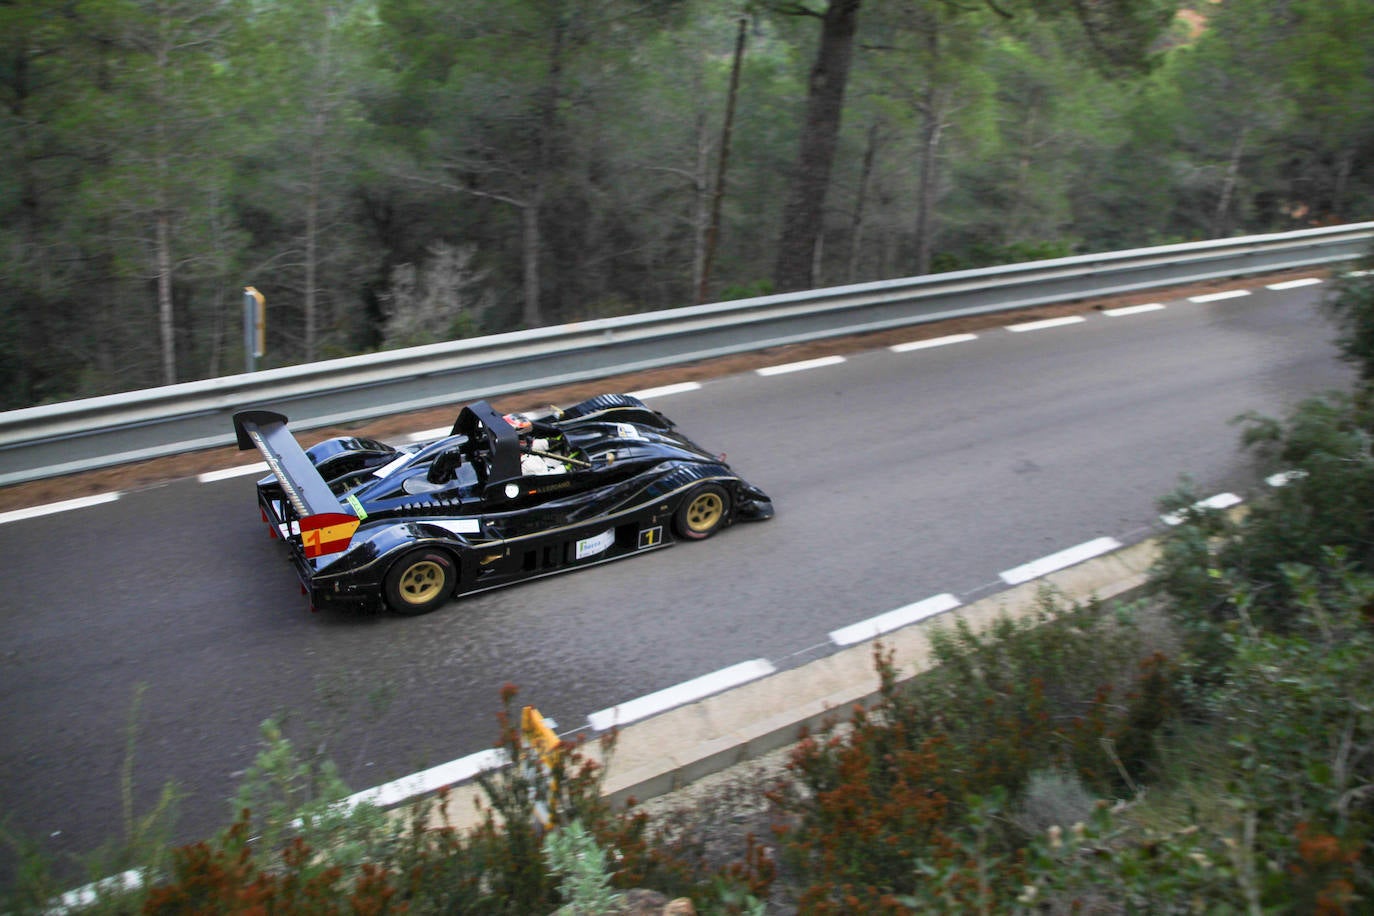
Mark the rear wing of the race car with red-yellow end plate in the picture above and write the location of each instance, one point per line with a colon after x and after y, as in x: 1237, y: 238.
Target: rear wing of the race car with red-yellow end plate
x: 326, y: 527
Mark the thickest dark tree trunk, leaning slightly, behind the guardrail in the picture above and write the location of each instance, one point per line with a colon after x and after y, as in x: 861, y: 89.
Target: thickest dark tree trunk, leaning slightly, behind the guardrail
x: 804, y: 212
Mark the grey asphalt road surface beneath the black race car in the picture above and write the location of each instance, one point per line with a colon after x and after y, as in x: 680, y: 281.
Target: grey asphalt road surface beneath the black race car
x: 170, y: 617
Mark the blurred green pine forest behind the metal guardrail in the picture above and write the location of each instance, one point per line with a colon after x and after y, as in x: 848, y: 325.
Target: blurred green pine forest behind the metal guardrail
x: 401, y: 172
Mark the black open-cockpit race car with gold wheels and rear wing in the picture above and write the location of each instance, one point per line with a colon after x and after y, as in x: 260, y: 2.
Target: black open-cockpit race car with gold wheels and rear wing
x: 502, y: 499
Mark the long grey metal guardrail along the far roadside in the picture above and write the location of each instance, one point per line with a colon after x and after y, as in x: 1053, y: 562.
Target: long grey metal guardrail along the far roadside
x: 102, y: 432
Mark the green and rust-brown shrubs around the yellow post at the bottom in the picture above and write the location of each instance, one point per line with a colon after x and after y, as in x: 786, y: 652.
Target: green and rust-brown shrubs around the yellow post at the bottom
x: 546, y: 840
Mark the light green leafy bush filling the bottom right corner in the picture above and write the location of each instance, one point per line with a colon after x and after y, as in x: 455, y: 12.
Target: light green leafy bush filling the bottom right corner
x: 1291, y: 822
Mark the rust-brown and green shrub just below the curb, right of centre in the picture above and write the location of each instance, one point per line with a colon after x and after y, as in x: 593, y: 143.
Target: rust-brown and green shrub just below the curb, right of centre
x: 909, y: 808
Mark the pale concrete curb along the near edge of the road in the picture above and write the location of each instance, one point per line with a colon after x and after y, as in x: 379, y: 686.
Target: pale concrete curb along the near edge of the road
x: 677, y: 748
